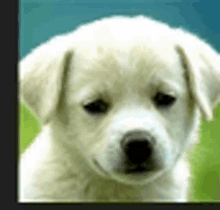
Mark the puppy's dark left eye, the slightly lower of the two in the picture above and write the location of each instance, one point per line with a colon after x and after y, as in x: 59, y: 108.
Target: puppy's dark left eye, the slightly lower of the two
x: 96, y: 107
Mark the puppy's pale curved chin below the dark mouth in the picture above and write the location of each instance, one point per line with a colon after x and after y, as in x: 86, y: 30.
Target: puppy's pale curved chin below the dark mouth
x: 136, y: 178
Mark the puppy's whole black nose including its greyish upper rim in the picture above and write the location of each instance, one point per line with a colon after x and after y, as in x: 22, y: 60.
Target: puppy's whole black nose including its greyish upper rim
x: 137, y: 146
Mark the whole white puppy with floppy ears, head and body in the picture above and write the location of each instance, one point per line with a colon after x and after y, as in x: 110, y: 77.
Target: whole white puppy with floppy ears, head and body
x: 120, y: 101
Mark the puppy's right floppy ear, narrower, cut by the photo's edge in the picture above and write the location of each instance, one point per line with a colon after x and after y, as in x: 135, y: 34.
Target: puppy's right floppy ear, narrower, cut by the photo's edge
x: 202, y: 66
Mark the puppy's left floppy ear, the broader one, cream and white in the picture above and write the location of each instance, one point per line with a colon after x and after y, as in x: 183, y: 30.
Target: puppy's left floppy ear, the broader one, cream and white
x: 41, y: 75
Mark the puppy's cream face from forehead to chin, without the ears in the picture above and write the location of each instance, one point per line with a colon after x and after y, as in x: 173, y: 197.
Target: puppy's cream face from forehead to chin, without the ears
x: 130, y: 110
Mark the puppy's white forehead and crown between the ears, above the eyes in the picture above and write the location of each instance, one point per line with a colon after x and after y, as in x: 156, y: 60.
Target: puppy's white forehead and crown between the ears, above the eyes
x: 128, y: 52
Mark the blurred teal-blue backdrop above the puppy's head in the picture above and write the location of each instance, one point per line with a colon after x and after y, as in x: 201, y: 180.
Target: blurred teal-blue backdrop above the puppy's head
x: 40, y: 19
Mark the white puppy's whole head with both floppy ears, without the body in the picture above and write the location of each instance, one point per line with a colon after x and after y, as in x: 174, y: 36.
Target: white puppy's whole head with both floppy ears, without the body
x: 127, y: 92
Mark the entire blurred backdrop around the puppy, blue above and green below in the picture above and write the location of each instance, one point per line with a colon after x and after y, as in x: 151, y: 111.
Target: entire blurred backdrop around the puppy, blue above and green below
x: 40, y: 19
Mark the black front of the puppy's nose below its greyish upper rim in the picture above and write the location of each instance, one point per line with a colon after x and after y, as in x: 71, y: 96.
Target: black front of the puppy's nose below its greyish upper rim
x: 138, y: 151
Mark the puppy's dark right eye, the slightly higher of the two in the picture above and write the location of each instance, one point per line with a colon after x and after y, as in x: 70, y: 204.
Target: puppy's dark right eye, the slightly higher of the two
x: 163, y: 100
